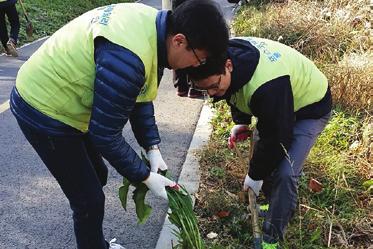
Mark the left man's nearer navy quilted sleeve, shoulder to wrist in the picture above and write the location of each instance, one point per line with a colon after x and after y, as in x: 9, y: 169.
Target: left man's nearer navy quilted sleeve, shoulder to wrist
x: 119, y: 78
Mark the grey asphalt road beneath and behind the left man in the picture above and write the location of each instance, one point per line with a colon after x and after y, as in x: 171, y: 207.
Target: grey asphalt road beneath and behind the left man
x: 34, y: 213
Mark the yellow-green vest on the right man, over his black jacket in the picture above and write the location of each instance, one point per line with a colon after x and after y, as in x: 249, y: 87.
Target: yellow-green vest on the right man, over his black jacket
x: 308, y: 83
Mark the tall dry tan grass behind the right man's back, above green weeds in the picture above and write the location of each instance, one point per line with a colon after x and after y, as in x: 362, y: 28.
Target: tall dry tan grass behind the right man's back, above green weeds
x: 336, y: 34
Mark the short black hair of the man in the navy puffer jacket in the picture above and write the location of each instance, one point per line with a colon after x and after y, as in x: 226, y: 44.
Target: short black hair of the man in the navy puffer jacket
x: 203, y: 24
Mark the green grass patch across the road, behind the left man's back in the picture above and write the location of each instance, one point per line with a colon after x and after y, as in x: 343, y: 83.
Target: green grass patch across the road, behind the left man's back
x: 48, y: 16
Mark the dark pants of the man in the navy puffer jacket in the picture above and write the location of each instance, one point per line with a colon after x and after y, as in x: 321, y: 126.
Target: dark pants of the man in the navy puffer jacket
x: 81, y: 172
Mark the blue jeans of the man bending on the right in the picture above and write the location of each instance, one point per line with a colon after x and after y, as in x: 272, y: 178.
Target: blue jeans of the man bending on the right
x: 283, y: 183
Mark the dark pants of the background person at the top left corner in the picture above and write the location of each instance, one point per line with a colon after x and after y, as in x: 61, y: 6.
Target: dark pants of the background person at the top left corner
x: 12, y: 14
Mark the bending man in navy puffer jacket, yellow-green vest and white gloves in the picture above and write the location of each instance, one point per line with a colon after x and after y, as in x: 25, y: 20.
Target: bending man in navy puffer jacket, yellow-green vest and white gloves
x: 75, y: 94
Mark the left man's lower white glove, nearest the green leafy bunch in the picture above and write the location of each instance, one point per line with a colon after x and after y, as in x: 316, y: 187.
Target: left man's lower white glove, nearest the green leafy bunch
x: 158, y: 183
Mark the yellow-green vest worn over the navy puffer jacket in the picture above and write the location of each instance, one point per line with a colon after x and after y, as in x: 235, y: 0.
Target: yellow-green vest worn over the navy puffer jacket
x: 58, y: 79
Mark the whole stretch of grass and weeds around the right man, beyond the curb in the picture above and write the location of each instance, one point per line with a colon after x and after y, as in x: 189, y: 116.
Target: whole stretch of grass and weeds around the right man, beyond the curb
x: 338, y: 36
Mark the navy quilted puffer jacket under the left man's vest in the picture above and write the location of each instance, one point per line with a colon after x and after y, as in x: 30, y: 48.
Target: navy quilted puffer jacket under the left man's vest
x: 120, y: 74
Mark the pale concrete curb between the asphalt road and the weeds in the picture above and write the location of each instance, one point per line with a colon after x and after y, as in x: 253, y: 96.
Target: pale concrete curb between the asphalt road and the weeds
x: 190, y: 174
